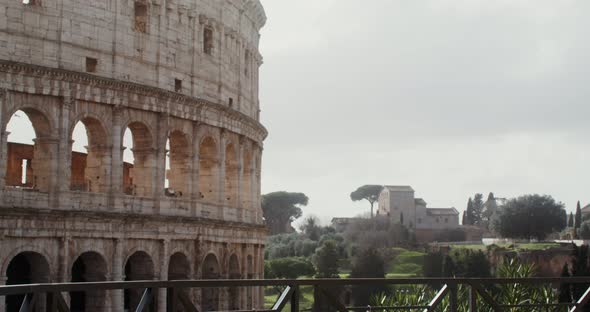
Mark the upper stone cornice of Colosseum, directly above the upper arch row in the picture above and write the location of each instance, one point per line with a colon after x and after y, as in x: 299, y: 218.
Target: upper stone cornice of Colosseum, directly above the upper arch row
x: 166, y: 98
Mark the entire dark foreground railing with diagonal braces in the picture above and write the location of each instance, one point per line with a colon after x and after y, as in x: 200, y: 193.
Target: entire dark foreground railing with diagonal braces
x: 477, y: 288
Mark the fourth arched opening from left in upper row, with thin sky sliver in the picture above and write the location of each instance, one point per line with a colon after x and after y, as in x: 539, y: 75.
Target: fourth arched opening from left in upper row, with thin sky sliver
x: 178, y: 164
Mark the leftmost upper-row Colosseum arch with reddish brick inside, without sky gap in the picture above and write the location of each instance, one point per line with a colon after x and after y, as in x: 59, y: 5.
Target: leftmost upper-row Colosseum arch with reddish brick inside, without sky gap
x: 39, y: 158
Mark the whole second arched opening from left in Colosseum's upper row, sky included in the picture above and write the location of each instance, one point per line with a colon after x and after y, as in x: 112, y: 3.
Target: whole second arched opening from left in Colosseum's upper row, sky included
x: 90, y: 157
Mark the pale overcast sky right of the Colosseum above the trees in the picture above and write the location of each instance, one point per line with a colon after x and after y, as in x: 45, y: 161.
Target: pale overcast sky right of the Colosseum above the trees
x: 450, y: 97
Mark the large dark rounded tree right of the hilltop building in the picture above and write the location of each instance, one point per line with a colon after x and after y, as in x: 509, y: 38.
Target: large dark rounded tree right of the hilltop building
x: 530, y: 216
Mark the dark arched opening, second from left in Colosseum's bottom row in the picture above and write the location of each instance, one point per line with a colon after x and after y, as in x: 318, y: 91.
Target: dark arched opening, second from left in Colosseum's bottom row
x: 88, y: 267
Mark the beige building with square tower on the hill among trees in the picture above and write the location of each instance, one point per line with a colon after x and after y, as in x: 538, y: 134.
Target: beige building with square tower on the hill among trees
x: 400, y: 204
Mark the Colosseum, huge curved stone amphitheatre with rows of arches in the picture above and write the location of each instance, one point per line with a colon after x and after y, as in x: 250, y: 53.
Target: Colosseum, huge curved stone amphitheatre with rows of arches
x: 181, y: 77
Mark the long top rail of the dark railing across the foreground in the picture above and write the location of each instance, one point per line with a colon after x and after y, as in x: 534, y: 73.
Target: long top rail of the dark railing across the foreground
x: 111, y: 285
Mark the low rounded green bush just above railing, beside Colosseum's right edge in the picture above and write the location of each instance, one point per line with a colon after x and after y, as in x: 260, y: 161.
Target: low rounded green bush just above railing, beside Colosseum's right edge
x: 288, y: 268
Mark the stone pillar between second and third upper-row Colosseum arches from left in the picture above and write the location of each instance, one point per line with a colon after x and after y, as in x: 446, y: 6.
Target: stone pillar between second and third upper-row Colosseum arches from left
x: 116, y: 167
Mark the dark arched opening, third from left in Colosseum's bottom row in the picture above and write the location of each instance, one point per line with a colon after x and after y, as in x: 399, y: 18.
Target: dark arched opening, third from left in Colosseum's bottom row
x: 139, y: 267
